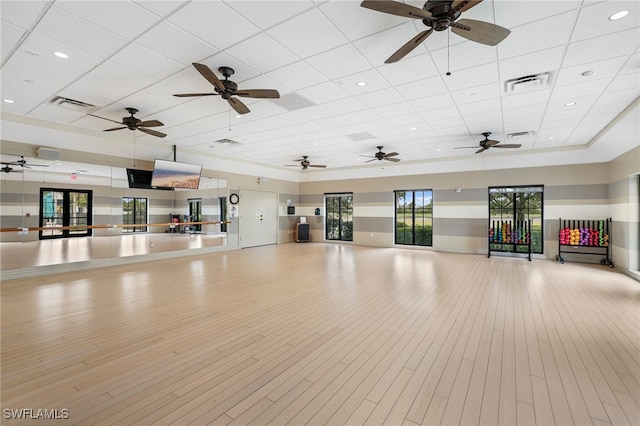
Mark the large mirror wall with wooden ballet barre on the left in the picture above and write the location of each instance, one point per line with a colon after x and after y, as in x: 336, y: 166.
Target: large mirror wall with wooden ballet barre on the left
x: 74, y: 212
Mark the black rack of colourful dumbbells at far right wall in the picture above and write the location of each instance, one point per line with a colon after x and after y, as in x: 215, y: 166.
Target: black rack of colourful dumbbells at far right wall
x: 586, y: 238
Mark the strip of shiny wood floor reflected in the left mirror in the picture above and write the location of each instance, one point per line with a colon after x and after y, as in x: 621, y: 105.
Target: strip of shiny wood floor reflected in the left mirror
x: 17, y: 255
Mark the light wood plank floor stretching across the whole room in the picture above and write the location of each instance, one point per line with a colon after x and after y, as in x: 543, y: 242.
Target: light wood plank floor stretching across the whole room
x: 325, y: 334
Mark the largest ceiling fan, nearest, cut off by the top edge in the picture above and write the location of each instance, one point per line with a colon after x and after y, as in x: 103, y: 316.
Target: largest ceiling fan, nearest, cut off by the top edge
x: 439, y: 15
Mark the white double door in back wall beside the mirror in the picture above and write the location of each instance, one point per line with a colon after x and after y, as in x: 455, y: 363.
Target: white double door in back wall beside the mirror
x: 258, y: 221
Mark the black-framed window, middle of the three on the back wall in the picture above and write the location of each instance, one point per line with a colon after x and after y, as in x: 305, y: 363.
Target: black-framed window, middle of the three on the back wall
x: 414, y: 217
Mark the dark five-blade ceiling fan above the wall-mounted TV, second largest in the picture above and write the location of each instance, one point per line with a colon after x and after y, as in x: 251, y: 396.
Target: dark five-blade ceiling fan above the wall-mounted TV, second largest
x: 228, y: 89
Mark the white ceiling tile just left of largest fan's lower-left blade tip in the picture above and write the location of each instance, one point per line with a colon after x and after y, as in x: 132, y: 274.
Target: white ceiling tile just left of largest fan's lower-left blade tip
x: 350, y: 60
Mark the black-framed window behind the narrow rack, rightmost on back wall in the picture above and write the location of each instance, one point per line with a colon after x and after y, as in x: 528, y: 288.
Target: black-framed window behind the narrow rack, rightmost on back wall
x: 516, y: 204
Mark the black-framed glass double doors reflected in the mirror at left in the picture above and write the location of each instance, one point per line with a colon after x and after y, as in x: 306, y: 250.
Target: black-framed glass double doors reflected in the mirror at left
x: 65, y: 213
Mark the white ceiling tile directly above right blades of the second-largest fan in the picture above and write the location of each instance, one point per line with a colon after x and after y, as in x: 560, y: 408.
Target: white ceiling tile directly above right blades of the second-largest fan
x: 277, y: 57
